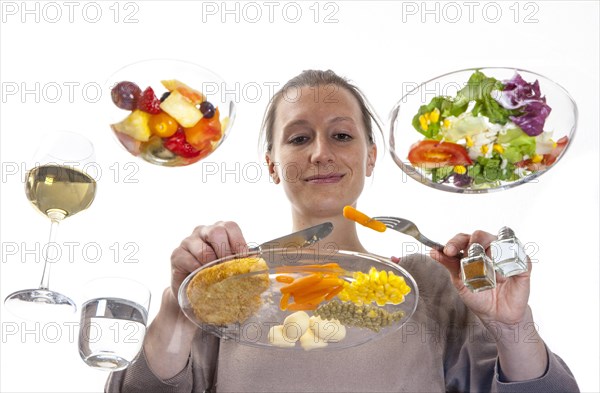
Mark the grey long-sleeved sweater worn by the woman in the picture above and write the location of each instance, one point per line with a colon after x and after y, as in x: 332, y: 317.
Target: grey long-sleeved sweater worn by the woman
x: 442, y: 348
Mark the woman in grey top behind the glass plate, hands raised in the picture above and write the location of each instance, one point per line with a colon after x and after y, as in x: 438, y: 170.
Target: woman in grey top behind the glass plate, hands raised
x: 455, y: 341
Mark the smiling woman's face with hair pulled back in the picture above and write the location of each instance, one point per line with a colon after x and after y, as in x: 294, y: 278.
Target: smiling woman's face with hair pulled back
x: 320, y: 151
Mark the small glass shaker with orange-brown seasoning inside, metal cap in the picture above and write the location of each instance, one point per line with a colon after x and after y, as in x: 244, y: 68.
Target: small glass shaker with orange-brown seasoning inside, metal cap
x: 477, y: 269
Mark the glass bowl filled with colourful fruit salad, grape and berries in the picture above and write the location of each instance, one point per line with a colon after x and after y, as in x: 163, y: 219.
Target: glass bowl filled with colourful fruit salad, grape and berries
x: 169, y: 112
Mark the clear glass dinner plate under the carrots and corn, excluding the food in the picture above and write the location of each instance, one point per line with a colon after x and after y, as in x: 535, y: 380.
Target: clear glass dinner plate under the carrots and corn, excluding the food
x: 254, y: 331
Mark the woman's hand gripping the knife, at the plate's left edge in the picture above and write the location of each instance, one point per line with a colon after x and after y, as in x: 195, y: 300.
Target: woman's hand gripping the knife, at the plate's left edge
x: 206, y: 244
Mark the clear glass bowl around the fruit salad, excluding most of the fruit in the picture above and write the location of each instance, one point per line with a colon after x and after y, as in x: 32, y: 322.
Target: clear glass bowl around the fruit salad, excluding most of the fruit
x: 150, y: 73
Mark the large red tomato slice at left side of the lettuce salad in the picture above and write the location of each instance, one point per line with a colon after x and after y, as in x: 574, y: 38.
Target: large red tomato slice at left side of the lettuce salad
x: 432, y: 154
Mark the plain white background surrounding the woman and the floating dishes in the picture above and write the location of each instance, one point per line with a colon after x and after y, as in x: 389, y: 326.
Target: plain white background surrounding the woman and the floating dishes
x: 144, y: 211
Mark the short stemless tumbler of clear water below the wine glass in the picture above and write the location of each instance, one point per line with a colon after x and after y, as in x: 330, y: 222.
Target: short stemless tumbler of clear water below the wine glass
x: 113, y: 322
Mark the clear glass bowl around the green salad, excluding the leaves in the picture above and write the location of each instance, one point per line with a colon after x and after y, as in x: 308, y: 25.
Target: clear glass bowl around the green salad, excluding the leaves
x: 562, y: 121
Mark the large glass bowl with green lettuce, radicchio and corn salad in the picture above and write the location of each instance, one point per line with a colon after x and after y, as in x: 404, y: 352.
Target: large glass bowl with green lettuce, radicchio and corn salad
x: 482, y: 130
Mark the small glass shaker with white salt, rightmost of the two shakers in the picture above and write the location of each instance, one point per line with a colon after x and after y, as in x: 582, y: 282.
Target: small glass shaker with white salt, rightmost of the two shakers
x: 508, y: 254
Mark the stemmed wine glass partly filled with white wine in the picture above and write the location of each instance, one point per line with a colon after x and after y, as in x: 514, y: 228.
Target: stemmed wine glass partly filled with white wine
x: 59, y: 186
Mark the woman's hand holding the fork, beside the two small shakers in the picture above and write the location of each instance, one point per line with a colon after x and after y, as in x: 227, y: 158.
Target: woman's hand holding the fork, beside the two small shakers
x: 505, y: 304
